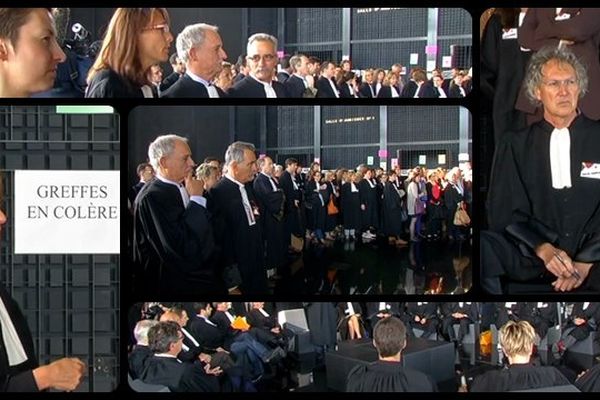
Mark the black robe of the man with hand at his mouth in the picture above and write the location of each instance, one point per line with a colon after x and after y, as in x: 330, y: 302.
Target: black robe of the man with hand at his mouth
x: 173, y: 245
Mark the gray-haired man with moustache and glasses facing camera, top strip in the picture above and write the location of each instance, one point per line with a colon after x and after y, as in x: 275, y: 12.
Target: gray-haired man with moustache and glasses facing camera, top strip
x: 262, y: 61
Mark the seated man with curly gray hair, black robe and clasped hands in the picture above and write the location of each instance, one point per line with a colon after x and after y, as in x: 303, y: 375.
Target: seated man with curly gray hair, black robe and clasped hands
x: 543, y: 203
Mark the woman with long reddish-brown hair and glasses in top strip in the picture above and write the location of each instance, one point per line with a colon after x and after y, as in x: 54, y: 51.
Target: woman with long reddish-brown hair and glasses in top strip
x: 136, y: 39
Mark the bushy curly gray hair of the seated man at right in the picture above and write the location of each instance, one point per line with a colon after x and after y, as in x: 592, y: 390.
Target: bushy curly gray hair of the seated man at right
x: 534, y: 75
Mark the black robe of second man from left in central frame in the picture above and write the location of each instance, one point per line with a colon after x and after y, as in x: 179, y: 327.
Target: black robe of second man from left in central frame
x: 241, y: 243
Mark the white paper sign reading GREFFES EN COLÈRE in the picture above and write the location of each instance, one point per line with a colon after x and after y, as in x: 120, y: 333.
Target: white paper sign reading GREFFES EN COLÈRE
x: 67, y: 212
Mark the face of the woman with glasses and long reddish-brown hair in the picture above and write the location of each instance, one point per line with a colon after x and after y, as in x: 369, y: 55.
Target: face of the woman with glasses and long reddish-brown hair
x: 154, y: 41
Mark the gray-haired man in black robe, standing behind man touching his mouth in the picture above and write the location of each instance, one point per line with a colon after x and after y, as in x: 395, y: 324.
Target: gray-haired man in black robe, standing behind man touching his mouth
x: 237, y: 221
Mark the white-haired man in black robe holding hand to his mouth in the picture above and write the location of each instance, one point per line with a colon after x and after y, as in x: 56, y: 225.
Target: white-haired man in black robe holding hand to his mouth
x: 173, y: 240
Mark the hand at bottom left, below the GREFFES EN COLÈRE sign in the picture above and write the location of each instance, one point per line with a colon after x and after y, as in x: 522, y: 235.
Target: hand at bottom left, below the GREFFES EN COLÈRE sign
x: 64, y: 374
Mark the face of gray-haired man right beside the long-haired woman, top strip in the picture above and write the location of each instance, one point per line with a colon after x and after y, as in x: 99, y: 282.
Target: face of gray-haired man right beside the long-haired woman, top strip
x: 207, y: 59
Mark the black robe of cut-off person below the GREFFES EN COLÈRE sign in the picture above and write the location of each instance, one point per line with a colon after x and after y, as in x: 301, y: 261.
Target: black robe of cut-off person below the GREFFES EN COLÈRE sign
x: 17, y: 378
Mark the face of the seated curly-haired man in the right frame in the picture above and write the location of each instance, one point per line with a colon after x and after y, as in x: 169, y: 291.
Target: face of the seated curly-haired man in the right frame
x: 559, y: 90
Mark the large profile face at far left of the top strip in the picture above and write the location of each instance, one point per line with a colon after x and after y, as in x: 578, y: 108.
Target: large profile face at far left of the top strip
x: 29, y: 64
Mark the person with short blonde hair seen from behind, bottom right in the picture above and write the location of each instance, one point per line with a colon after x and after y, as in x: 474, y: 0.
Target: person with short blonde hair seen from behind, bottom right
x: 516, y: 339
